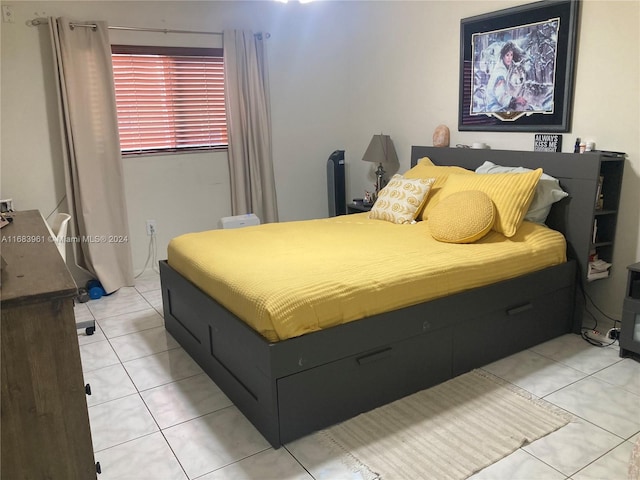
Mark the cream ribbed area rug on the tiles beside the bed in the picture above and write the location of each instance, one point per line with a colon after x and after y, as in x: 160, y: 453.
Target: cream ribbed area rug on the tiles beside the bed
x: 449, y: 431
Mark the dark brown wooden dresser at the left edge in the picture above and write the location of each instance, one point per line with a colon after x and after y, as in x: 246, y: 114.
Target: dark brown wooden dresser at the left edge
x: 44, y: 418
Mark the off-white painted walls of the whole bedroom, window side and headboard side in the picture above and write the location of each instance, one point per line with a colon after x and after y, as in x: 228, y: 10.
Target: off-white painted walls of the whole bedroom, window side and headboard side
x: 340, y: 72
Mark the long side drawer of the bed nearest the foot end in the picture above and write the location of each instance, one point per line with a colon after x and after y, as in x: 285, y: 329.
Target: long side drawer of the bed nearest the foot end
x: 325, y: 395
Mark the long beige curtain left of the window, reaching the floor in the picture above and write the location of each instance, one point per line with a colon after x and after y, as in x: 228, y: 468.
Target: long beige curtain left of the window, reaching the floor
x: 91, y: 151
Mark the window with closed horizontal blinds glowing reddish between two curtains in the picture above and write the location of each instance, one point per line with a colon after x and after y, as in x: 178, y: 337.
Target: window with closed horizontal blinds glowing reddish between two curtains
x: 169, y: 99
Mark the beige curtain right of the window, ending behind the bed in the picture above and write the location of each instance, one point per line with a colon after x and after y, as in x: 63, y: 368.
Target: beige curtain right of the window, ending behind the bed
x: 249, y: 125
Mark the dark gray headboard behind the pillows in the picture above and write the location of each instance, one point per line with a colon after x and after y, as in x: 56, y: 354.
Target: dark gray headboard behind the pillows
x: 578, y: 175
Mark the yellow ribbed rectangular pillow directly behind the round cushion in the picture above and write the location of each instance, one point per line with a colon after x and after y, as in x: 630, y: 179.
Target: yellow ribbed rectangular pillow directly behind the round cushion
x: 511, y: 193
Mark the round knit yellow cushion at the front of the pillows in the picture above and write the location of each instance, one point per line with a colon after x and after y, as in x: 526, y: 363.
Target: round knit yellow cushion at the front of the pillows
x: 462, y: 217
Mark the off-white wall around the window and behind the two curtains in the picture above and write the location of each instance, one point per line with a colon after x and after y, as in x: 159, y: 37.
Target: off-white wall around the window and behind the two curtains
x: 181, y: 192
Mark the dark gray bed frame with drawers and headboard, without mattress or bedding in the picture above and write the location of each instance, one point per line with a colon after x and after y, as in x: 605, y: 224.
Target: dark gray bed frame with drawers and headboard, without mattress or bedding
x: 294, y: 387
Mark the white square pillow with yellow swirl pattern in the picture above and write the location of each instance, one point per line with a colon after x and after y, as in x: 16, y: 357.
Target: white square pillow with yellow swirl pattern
x: 401, y: 199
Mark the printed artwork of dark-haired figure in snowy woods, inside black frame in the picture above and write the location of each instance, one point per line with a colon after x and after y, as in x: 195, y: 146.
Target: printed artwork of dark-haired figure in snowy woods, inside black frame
x: 514, y: 70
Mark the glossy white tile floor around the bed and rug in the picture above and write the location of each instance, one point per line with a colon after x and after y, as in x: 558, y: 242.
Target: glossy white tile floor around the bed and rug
x: 155, y: 415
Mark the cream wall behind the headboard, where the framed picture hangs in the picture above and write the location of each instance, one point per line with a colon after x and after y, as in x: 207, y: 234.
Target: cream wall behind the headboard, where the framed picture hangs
x: 404, y: 69
